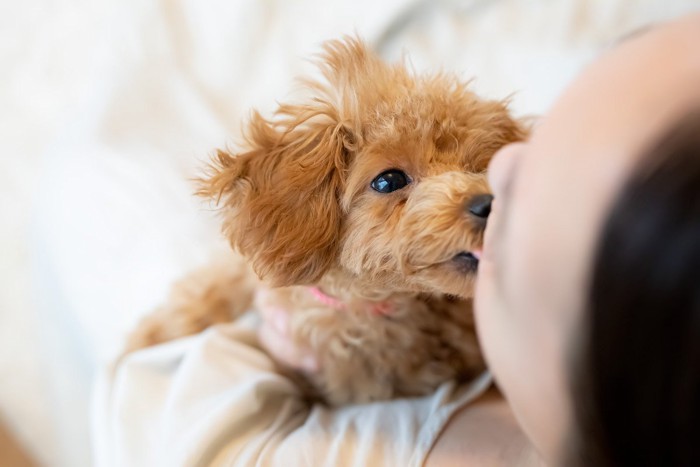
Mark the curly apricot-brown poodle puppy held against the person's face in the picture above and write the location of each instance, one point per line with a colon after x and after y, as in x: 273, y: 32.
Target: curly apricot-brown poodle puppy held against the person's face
x: 361, y: 210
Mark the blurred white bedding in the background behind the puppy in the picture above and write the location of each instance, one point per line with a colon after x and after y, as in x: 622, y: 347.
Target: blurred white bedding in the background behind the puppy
x: 108, y: 107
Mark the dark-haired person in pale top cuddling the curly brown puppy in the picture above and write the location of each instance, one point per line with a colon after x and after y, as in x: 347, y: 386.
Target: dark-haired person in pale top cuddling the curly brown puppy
x: 586, y: 306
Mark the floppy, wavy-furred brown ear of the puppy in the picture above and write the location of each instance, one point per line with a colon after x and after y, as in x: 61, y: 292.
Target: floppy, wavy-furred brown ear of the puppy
x: 280, y: 199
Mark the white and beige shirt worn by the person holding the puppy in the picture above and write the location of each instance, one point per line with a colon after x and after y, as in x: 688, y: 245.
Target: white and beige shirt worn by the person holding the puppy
x: 216, y: 399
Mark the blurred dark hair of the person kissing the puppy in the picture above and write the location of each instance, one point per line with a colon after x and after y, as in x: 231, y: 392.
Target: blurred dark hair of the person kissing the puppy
x: 636, y: 372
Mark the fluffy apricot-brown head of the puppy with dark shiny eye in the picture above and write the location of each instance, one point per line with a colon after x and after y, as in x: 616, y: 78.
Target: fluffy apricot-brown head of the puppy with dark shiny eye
x: 380, y: 174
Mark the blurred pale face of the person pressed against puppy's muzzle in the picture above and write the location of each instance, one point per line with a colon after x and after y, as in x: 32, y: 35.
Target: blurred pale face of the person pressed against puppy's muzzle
x: 551, y: 197
